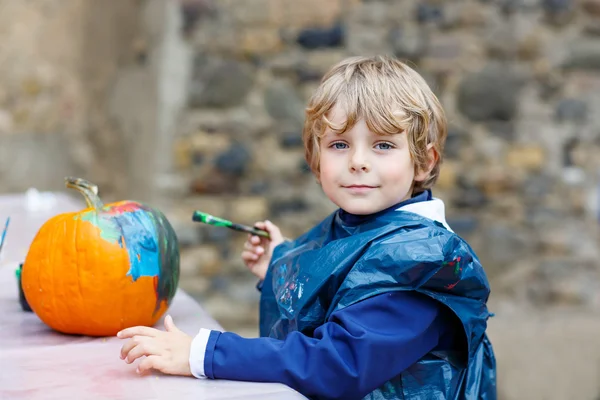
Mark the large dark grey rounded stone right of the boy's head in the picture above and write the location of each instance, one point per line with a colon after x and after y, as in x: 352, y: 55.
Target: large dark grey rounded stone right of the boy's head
x: 490, y: 94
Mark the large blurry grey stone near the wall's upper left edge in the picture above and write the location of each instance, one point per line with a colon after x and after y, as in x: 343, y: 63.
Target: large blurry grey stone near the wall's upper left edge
x: 219, y: 83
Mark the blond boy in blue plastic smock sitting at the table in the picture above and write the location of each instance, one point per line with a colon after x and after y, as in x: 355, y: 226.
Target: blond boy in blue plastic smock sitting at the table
x: 379, y: 300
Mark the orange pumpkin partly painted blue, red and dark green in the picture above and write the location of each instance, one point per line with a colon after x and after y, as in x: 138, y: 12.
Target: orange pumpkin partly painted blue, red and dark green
x: 102, y: 269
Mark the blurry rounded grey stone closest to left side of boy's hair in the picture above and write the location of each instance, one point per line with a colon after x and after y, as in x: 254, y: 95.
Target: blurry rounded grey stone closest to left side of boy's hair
x: 283, y: 103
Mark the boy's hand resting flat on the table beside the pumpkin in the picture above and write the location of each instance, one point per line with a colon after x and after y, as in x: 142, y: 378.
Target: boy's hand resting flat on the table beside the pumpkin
x: 167, y: 352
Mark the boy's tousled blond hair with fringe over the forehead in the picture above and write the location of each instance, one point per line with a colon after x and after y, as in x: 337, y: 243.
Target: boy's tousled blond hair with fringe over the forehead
x: 391, y: 98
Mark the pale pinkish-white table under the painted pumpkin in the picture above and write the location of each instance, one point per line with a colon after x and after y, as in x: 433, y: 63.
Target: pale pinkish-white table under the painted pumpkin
x: 39, y: 363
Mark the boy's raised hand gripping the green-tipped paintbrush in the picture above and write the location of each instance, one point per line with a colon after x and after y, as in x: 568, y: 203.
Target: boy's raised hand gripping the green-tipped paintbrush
x: 258, y: 250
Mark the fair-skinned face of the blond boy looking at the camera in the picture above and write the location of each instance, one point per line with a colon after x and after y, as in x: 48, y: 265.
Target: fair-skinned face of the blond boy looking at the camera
x: 362, y: 172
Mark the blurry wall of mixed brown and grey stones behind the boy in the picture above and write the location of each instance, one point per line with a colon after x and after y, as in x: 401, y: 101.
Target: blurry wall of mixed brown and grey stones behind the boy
x: 519, y: 80
